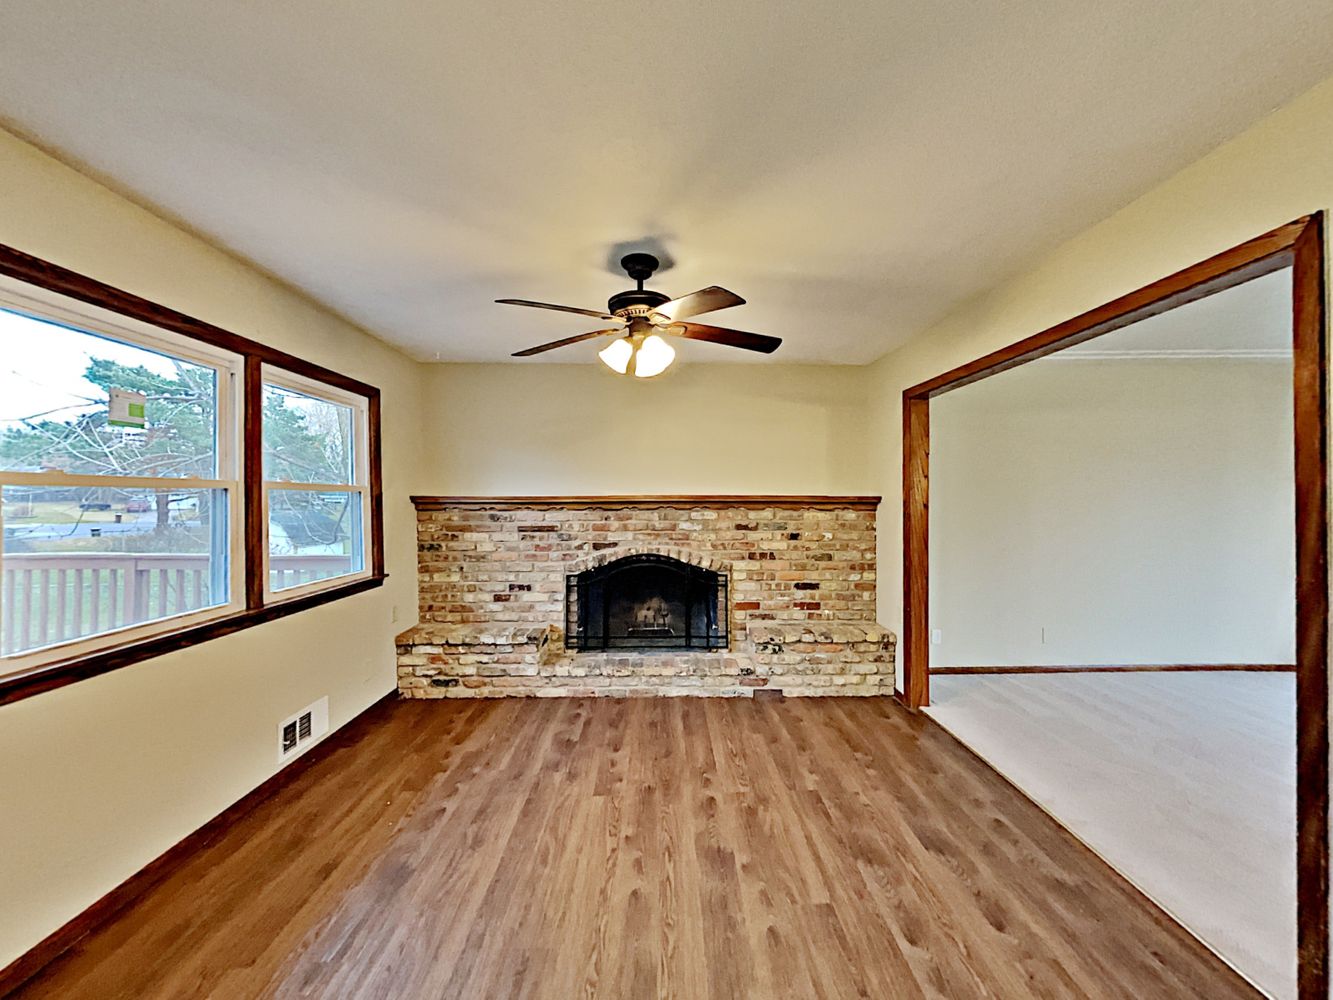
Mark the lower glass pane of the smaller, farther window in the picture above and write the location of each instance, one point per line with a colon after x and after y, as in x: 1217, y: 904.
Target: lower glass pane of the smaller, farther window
x: 314, y: 535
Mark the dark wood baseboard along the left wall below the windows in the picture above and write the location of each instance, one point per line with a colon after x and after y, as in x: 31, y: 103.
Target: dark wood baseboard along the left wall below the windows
x: 162, y: 867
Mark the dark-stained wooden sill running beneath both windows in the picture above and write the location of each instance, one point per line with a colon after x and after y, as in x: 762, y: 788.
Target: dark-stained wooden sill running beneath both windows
x: 49, y: 677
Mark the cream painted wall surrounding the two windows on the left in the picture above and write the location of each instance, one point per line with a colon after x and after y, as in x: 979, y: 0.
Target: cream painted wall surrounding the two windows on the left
x: 99, y: 778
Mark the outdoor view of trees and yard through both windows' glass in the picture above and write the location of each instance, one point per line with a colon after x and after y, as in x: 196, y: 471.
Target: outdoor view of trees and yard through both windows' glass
x: 82, y: 559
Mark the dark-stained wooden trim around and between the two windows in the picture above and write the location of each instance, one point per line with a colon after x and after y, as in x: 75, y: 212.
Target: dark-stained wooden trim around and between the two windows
x: 51, y: 675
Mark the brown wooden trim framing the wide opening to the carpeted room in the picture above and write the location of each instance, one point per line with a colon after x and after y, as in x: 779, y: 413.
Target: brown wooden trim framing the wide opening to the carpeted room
x: 1300, y: 246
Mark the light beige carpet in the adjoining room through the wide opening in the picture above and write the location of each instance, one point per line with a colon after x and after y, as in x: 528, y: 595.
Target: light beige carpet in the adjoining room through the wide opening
x: 1186, y: 783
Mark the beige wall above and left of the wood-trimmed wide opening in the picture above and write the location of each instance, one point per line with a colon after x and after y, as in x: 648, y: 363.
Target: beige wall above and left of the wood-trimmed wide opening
x: 1272, y: 174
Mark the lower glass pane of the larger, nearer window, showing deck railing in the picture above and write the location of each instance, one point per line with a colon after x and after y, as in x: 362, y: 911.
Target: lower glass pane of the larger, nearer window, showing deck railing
x: 82, y: 561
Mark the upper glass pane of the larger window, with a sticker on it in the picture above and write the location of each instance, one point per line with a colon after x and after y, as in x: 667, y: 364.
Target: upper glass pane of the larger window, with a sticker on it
x: 59, y: 395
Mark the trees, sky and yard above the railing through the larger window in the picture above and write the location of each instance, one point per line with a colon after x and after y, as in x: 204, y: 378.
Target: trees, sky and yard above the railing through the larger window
x: 54, y: 418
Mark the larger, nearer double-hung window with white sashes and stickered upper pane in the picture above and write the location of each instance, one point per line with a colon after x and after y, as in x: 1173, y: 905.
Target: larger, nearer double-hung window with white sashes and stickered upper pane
x: 119, y: 475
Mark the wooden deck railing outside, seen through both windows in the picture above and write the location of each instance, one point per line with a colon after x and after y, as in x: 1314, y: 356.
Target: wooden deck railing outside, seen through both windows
x: 53, y: 598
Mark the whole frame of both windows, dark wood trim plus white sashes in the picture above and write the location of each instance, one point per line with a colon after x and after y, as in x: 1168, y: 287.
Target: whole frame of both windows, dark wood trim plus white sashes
x: 53, y: 293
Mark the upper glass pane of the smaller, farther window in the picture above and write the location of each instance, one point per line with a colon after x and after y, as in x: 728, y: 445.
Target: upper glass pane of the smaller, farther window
x: 307, y: 439
